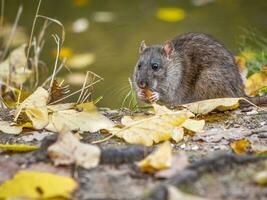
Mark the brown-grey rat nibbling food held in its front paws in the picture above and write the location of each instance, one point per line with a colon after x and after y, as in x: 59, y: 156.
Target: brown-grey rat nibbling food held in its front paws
x: 191, y: 67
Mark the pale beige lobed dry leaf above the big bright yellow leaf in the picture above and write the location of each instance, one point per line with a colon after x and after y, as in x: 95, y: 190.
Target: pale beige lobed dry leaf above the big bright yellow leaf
x: 69, y: 150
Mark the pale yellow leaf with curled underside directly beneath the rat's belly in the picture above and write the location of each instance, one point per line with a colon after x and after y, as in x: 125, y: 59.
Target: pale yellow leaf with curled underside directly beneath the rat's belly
x: 206, y: 106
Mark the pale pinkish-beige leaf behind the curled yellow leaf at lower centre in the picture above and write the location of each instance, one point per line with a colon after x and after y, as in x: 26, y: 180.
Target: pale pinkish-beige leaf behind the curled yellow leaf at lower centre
x: 178, y: 163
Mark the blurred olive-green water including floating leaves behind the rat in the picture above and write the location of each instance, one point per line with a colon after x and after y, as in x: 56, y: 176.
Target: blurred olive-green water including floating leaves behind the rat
x: 103, y: 36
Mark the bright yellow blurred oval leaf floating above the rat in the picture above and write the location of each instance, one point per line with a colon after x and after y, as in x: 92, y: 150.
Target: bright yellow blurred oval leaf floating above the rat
x: 171, y: 14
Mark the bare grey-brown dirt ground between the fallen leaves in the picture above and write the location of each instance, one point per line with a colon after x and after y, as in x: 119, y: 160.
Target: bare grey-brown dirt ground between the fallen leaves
x: 117, y: 176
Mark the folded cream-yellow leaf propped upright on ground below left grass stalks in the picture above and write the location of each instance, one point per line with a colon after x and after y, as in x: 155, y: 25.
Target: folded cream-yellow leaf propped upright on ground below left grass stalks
x: 35, y: 107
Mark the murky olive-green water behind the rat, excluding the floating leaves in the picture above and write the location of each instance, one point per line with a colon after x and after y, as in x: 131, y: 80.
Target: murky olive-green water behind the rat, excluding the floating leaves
x: 115, y: 43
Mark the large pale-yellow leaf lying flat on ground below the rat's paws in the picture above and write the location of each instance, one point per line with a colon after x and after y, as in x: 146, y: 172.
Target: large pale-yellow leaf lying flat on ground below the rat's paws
x: 153, y: 129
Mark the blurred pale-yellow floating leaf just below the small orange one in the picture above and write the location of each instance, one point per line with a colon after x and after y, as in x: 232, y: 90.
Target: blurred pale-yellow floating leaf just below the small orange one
x: 79, y: 61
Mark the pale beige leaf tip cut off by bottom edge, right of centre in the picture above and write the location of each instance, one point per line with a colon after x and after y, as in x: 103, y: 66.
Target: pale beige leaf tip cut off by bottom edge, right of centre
x: 176, y: 194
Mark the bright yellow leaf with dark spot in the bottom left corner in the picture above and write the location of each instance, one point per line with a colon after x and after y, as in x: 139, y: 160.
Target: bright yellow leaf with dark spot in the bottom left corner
x: 37, y: 185
